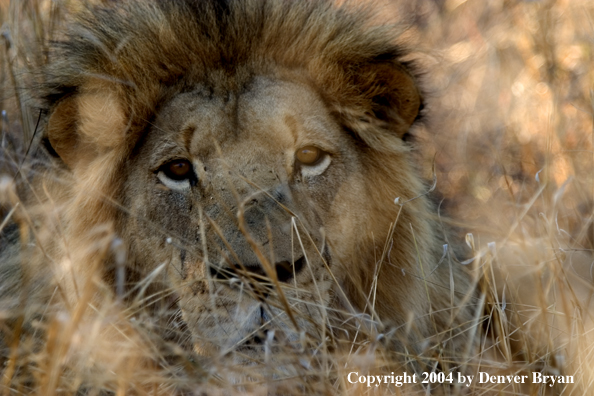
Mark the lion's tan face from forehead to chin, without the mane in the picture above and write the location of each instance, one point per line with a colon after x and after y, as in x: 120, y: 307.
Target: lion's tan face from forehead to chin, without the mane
x: 238, y: 194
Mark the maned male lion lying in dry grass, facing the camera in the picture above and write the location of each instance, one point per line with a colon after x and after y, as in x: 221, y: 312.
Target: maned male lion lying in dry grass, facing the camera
x: 252, y: 160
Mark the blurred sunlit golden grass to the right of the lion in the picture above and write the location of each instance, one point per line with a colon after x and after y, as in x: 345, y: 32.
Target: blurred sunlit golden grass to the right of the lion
x: 510, y: 109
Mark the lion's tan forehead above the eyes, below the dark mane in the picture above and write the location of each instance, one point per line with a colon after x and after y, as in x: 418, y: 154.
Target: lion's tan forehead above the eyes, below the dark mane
x: 268, y: 118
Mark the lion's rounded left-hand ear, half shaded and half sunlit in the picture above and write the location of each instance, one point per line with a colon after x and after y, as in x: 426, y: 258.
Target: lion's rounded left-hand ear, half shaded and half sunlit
x: 84, y: 125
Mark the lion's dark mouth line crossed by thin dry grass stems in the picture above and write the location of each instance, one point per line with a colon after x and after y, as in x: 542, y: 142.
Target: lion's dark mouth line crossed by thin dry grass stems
x: 285, y: 271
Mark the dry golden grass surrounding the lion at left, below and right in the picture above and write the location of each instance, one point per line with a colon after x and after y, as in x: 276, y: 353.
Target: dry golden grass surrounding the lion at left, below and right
x: 510, y: 132
